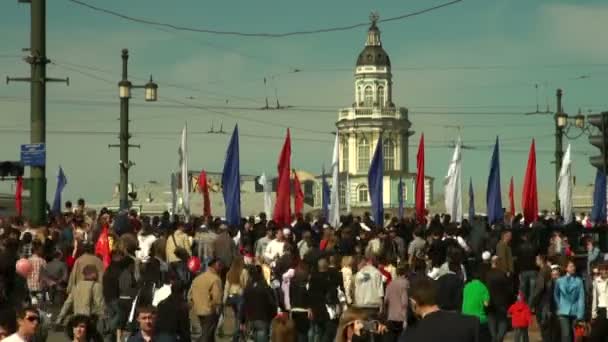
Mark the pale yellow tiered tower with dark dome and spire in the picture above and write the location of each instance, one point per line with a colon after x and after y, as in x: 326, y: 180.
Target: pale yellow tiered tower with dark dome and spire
x: 372, y: 114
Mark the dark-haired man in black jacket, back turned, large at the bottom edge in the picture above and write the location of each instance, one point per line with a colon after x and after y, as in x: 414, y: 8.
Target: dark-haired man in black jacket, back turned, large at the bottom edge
x: 436, y: 325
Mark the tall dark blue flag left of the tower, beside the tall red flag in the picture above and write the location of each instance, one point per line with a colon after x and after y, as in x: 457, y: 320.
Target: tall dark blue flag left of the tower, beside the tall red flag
x: 231, y: 180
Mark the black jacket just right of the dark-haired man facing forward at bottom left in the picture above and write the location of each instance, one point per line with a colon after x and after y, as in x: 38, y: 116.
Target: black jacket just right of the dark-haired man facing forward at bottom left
x: 173, y: 318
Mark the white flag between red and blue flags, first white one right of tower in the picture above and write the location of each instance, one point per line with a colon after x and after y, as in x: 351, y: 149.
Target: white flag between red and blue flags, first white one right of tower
x: 453, y: 187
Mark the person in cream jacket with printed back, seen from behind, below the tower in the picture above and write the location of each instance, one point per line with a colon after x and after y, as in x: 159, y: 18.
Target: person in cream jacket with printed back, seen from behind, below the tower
x: 369, y: 287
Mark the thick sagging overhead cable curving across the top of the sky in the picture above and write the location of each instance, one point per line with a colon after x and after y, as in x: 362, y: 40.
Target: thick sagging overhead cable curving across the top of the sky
x: 259, y: 34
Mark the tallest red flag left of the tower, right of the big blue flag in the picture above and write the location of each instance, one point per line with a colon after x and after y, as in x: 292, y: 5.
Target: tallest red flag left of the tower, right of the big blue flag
x: 282, y: 207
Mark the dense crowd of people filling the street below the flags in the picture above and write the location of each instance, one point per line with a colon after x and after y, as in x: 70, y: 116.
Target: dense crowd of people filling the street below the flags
x: 165, y: 278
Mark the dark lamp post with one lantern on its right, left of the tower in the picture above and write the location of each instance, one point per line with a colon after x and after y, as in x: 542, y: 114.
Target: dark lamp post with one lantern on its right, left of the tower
x: 124, y: 93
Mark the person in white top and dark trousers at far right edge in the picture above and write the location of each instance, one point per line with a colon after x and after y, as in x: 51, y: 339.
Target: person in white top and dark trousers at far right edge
x: 599, y: 305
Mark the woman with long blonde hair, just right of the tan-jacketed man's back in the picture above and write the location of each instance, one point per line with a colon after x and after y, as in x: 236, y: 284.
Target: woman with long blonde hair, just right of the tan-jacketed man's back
x: 236, y: 281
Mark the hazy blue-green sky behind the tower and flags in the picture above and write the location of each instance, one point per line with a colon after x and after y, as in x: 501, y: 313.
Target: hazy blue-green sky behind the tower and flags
x: 468, y: 69
